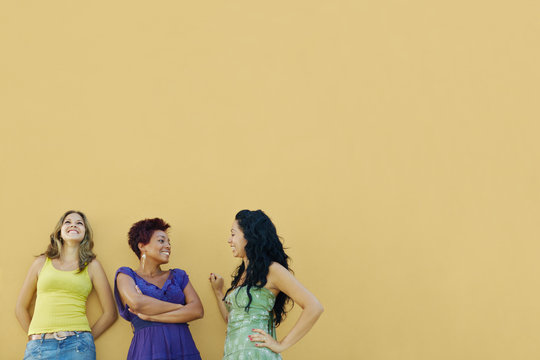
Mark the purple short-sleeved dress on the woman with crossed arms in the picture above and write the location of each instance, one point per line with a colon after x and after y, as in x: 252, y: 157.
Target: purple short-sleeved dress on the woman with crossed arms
x: 156, y: 340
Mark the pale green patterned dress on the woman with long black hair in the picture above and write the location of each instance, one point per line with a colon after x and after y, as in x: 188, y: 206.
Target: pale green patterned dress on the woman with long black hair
x: 237, y: 344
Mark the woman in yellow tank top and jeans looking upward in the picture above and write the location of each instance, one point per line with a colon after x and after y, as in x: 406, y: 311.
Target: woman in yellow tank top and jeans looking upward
x: 63, y: 276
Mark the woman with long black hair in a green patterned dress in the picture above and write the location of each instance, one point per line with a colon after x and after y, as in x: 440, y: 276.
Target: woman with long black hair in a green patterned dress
x: 262, y: 286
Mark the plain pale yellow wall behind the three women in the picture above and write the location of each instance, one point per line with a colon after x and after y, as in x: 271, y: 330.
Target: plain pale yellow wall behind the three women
x: 394, y: 143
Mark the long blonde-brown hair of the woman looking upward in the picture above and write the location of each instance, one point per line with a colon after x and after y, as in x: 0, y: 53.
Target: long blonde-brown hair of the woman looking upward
x: 85, y: 249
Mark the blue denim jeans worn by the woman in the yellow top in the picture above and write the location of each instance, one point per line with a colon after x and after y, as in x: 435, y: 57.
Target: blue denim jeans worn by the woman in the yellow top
x: 76, y: 347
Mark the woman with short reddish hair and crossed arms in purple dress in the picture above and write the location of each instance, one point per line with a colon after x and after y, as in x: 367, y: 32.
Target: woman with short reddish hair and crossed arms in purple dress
x: 157, y: 302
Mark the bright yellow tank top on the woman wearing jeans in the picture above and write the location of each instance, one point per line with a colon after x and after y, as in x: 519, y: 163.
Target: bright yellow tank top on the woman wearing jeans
x: 61, y: 300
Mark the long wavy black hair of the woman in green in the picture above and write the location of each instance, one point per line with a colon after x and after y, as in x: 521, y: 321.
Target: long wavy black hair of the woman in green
x: 263, y: 247
